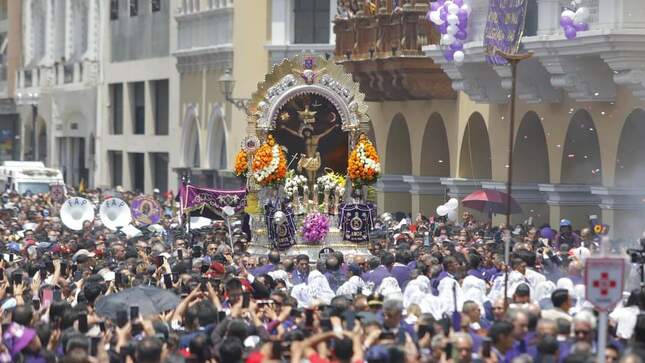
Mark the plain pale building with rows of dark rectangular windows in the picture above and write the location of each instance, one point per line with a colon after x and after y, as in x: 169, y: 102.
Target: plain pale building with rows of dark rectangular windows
x: 138, y: 102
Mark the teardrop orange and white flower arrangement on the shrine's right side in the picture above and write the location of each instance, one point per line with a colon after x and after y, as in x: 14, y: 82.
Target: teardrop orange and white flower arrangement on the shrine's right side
x: 364, y: 164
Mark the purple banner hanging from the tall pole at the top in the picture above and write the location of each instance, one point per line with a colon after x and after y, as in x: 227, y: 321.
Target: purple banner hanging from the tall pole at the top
x: 504, y: 28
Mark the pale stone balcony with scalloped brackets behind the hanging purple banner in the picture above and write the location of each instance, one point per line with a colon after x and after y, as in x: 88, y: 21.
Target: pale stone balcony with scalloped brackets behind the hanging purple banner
x: 589, y: 67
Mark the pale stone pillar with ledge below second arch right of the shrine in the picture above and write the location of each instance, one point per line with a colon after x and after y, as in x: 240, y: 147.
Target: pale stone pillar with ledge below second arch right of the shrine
x: 427, y: 193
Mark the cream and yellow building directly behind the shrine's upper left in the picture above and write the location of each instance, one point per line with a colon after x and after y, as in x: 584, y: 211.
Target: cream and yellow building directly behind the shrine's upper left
x: 246, y: 38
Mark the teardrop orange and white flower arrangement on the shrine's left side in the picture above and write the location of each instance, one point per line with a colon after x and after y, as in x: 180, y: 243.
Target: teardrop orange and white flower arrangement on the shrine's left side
x: 269, y: 163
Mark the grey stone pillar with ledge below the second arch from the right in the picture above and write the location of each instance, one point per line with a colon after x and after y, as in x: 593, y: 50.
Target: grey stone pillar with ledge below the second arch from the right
x: 573, y: 202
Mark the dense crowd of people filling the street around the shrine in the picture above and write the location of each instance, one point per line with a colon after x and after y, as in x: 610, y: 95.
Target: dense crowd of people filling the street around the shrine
x: 434, y: 292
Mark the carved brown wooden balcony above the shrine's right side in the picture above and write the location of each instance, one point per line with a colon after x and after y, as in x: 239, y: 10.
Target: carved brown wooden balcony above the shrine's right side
x: 383, y: 53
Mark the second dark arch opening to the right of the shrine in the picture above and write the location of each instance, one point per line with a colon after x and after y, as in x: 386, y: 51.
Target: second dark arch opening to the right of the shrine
x: 435, y: 153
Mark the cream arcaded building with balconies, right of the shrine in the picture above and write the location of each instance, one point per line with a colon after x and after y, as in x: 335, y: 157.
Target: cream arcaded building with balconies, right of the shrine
x: 442, y: 127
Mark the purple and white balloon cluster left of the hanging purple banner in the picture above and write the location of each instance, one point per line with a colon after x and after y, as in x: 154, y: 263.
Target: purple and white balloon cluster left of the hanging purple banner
x: 451, y: 19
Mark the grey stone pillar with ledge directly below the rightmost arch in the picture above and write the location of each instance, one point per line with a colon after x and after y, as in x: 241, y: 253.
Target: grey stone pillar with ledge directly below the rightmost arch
x: 623, y: 210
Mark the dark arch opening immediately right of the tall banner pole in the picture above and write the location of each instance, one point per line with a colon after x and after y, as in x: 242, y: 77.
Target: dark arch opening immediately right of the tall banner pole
x: 530, y: 152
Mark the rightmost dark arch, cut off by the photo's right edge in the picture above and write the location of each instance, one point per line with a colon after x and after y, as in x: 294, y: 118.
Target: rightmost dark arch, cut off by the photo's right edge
x: 630, y: 166
